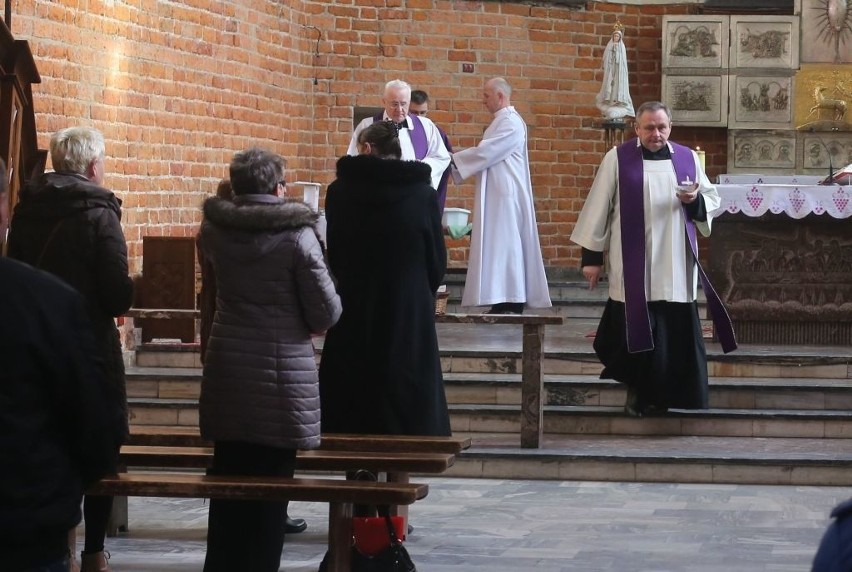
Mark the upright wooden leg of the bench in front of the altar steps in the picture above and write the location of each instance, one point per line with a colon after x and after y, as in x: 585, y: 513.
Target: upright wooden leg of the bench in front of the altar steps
x: 532, y: 386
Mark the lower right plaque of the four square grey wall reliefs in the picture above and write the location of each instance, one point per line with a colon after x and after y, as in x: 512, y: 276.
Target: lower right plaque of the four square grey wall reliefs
x: 761, y: 102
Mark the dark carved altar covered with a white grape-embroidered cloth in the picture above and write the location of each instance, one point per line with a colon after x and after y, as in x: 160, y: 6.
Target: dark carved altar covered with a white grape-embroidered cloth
x: 781, y: 260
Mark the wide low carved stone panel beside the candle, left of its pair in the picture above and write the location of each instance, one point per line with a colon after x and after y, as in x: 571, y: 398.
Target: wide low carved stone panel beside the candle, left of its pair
x: 766, y: 152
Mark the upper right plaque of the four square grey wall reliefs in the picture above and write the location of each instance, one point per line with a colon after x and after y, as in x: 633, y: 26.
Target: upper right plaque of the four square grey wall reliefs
x: 765, y: 42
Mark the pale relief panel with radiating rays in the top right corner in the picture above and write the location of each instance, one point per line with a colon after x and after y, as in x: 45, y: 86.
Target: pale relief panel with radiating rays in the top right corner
x: 826, y: 31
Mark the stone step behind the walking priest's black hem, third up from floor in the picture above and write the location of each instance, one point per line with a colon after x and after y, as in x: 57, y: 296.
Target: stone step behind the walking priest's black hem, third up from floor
x: 579, y: 390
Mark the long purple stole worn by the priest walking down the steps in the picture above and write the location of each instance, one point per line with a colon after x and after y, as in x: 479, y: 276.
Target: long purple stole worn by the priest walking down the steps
x: 631, y: 193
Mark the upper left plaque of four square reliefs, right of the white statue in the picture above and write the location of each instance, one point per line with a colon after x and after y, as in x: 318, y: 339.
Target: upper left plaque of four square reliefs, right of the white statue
x: 695, y: 42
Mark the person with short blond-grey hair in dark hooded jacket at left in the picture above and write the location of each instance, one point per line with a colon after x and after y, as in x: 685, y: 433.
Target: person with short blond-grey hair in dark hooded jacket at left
x: 68, y: 224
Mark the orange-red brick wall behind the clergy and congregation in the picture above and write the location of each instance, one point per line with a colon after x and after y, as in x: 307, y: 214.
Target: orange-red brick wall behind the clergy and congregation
x: 178, y: 87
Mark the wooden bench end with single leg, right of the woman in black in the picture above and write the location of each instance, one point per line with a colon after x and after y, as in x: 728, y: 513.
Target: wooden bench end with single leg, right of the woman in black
x: 532, y: 365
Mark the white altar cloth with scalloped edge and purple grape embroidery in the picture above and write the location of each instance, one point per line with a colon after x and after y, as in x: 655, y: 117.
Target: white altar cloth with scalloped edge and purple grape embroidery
x: 796, y: 201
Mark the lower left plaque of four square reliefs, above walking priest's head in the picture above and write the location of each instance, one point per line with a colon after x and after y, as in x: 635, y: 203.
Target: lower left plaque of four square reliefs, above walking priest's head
x: 700, y: 100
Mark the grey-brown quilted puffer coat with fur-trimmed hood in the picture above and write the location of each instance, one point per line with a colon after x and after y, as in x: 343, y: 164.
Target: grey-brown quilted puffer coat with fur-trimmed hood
x: 273, y: 292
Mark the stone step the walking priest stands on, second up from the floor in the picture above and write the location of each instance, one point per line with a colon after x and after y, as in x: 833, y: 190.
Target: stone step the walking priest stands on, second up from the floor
x: 582, y: 420
